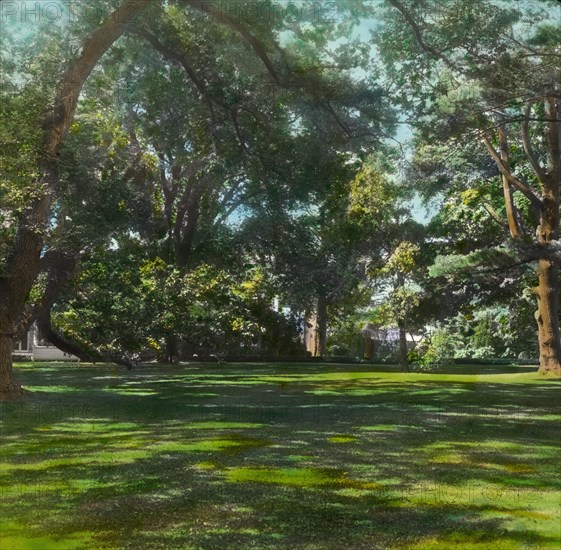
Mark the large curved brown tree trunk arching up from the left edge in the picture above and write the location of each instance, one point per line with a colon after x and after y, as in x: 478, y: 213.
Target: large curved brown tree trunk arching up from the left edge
x: 23, y: 262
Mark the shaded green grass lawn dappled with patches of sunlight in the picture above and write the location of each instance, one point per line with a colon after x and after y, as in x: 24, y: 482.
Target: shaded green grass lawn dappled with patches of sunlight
x: 280, y: 456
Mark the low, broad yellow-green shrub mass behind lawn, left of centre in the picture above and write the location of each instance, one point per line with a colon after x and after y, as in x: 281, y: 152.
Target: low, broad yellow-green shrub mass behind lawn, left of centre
x: 127, y: 303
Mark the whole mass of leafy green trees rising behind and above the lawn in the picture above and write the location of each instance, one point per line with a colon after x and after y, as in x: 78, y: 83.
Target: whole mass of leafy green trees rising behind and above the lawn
x: 170, y: 169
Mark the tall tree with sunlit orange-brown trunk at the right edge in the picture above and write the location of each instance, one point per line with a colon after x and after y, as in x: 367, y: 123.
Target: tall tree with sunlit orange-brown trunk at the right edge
x: 483, y: 71
